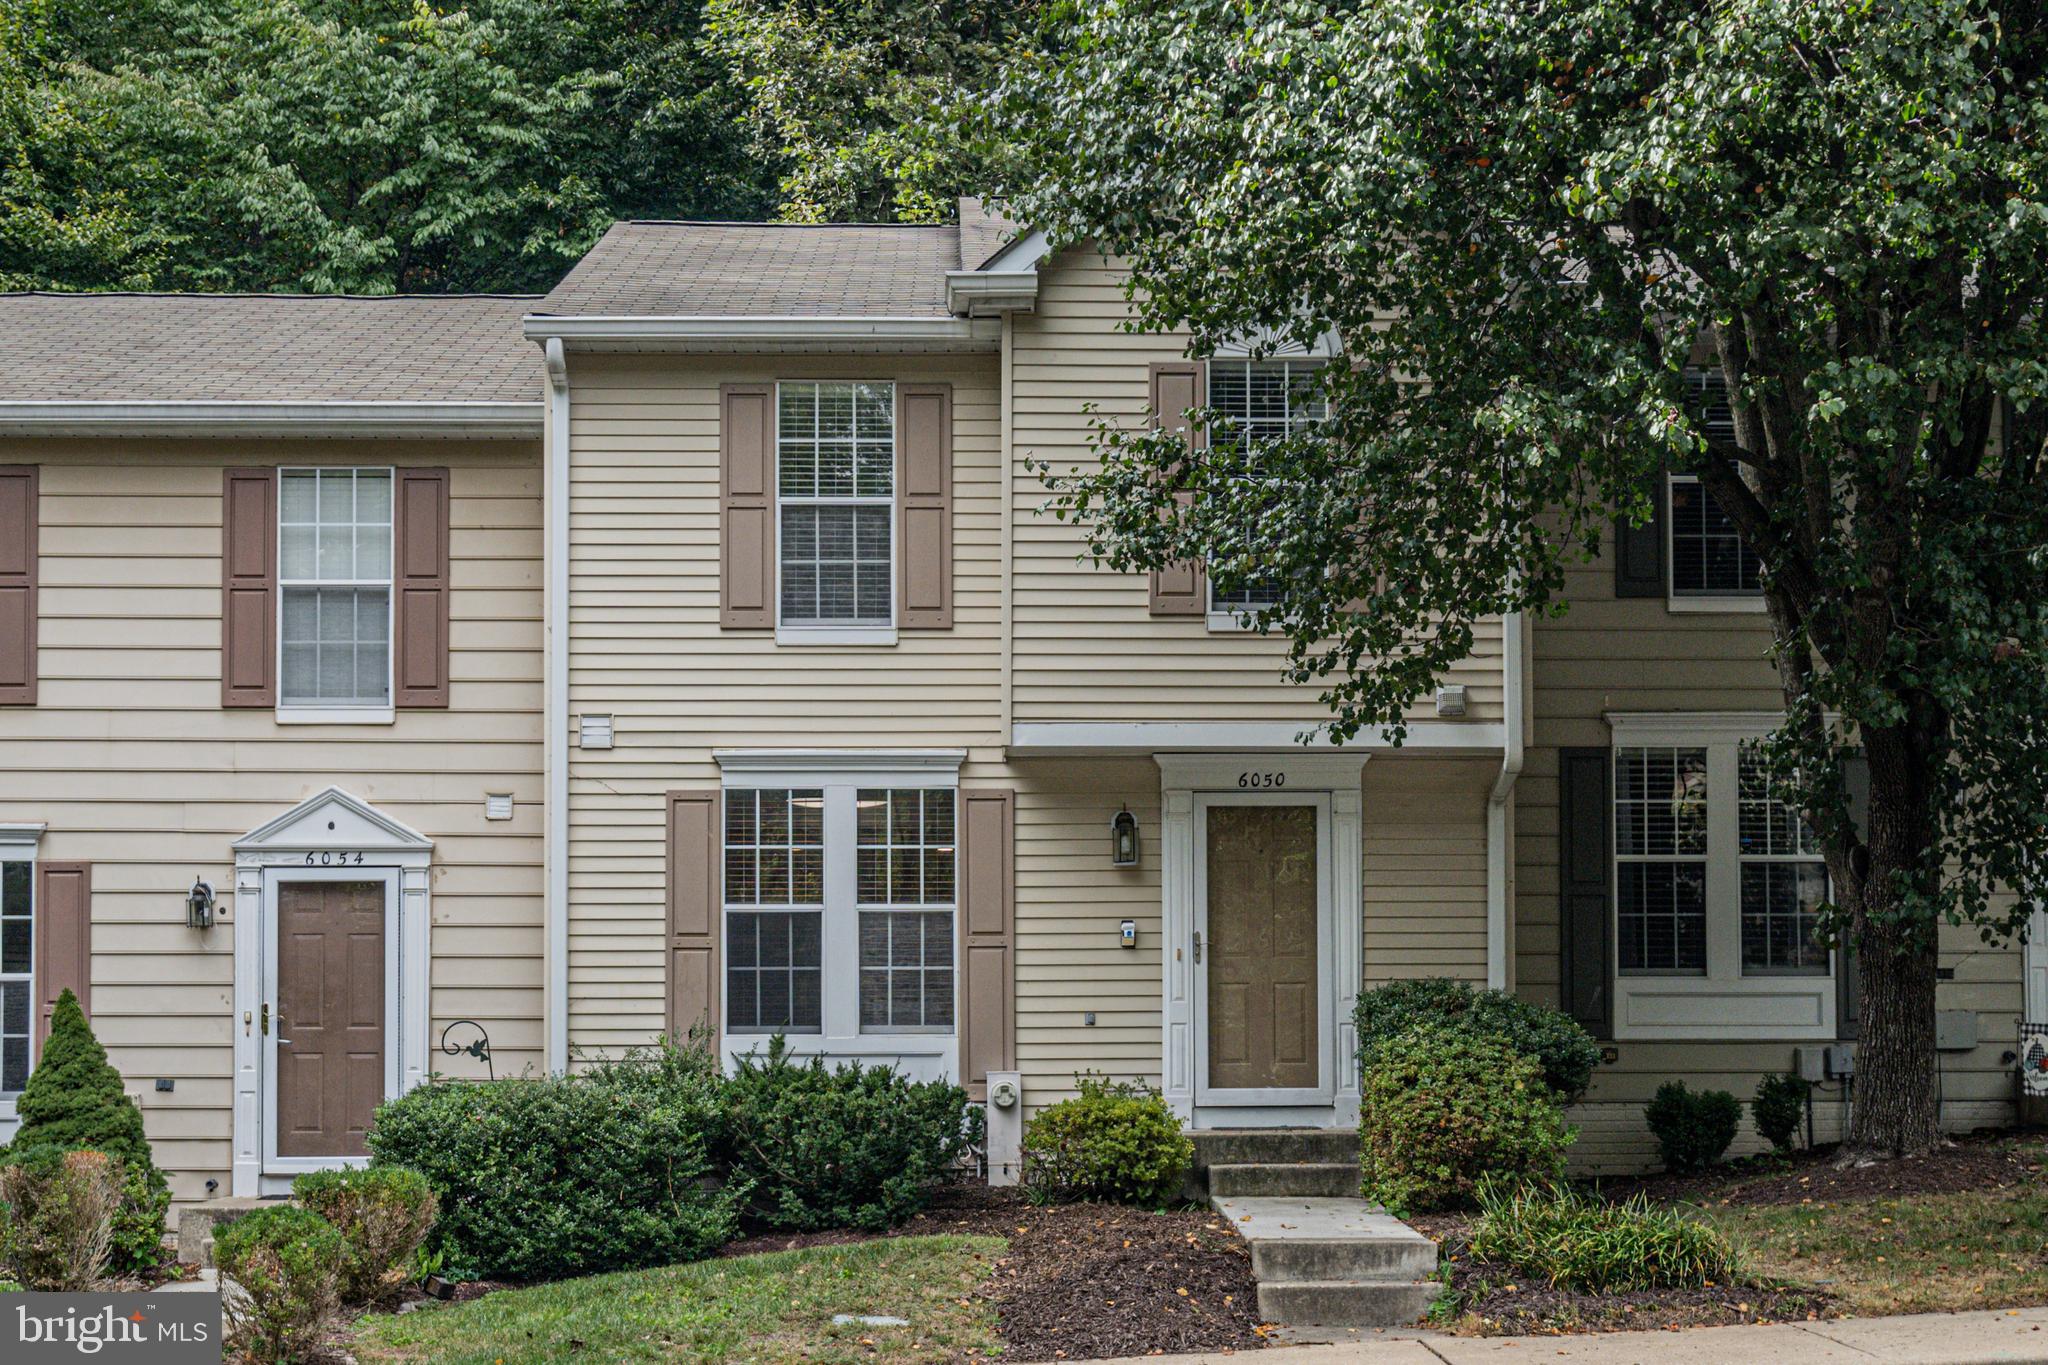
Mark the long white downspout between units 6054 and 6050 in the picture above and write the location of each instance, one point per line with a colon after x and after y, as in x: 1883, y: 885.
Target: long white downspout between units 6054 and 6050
x: 556, y: 707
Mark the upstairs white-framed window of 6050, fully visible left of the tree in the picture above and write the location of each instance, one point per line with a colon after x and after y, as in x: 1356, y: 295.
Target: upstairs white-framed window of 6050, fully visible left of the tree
x: 837, y: 504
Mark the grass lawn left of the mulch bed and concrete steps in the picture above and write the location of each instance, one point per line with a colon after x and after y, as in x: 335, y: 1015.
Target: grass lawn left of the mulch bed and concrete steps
x: 744, y: 1309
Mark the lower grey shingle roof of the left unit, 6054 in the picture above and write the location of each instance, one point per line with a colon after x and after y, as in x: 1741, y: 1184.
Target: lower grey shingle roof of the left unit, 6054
x: 280, y: 349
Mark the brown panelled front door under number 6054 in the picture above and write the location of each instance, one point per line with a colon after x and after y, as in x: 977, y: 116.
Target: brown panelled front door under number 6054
x: 331, y: 981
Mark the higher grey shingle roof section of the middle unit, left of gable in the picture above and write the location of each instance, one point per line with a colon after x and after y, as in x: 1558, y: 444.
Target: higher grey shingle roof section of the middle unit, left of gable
x: 761, y: 271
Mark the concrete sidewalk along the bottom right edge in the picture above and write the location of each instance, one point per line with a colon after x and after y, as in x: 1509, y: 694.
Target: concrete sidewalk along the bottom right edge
x: 2016, y: 1337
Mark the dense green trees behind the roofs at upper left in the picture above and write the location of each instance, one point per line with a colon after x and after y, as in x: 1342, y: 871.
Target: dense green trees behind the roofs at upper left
x: 382, y: 146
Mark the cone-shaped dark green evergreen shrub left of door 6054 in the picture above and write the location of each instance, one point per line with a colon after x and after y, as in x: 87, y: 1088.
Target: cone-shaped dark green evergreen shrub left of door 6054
x: 75, y: 1102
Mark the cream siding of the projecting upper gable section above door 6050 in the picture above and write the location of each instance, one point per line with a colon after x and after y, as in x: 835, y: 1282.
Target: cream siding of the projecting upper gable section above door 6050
x: 1084, y: 642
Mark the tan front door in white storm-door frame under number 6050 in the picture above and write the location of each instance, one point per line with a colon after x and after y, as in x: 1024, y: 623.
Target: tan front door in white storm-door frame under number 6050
x: 1265, y: 1010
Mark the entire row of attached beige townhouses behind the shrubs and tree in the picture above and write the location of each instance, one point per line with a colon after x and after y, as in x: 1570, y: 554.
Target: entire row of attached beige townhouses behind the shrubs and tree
x: 826, y: 730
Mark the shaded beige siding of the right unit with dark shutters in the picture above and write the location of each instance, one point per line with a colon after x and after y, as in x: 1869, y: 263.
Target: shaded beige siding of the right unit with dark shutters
x: 1627, y: 656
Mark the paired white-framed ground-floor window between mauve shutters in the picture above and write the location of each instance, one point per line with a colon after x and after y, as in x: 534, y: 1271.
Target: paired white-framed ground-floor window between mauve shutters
x: 841, y: 910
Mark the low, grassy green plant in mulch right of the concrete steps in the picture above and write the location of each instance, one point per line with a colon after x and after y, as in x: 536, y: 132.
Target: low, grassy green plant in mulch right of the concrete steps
x: 1598, y: 1247
